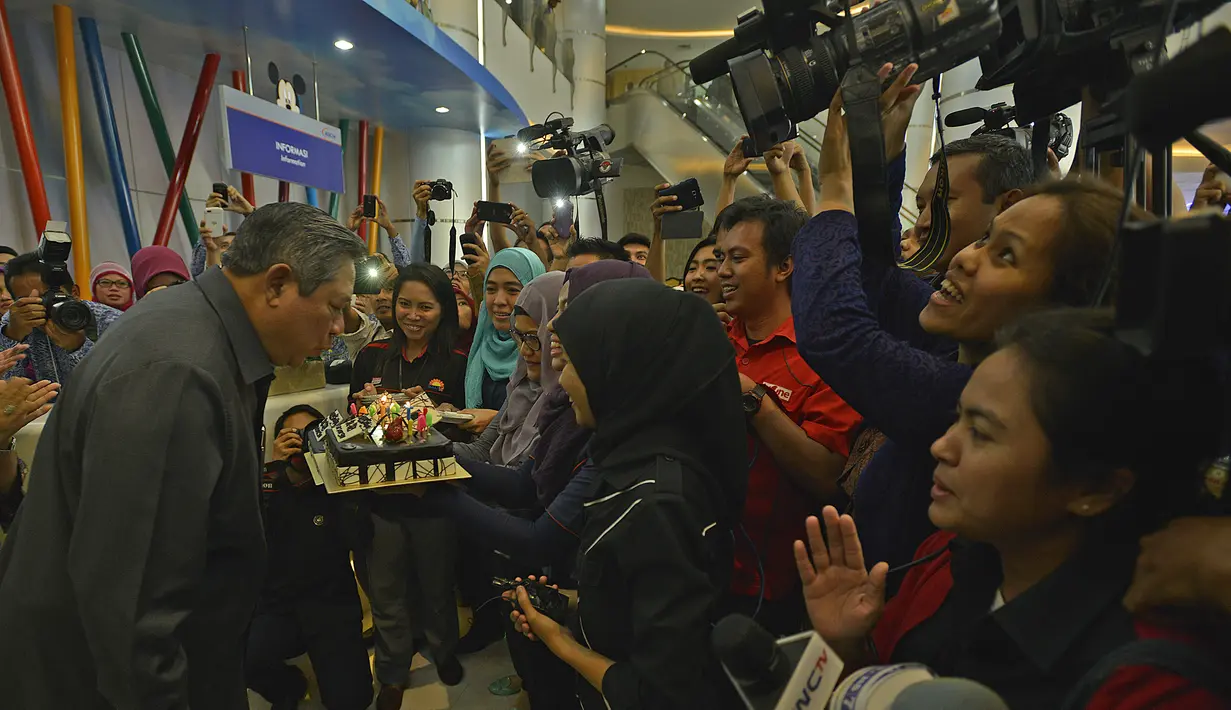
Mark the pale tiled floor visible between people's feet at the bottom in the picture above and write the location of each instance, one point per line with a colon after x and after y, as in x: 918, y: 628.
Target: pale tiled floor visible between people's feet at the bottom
x: 428, y: 693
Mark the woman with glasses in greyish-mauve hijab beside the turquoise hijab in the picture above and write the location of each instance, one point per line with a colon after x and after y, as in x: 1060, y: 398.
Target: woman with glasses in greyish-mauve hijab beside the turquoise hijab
x: 515, y: 431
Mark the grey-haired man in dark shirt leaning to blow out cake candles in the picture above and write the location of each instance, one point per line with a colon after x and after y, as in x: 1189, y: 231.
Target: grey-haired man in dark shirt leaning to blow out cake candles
x: 134, y: 567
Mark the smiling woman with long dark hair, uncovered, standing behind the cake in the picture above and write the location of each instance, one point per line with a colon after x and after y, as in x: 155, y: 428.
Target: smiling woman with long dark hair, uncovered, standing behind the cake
x: 413, y: 556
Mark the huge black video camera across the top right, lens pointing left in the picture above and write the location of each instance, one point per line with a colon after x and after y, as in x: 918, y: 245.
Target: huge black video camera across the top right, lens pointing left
x: 784, y: 72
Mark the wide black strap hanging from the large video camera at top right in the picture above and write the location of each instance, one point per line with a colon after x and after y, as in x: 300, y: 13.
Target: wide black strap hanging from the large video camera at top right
x: 873, y: 210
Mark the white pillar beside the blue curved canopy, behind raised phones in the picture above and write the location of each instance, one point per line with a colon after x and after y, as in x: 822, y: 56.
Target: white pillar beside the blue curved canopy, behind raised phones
x: 454, y: 156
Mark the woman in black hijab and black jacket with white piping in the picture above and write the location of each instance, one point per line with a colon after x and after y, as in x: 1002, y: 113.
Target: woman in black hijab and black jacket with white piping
x: 651, y: 372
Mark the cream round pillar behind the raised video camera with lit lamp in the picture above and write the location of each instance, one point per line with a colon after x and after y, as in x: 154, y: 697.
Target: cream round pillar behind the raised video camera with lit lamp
x: 584, y: 39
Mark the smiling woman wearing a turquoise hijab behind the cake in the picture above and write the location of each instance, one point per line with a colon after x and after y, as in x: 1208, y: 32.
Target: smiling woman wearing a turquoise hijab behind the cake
x: 494, y: 353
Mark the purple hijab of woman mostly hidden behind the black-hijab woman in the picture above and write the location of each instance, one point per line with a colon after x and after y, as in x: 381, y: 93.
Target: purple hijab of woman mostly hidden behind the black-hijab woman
x: 562, y: 440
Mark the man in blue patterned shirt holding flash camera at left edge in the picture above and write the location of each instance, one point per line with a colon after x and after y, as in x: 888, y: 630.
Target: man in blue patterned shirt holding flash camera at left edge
x: 54, y: 351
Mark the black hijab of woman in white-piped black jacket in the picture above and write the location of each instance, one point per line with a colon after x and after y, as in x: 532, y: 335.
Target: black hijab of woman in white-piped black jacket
x: 660, y: 377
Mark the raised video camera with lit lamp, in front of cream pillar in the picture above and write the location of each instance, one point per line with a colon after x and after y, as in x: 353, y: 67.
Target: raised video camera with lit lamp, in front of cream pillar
x: 585, y: 167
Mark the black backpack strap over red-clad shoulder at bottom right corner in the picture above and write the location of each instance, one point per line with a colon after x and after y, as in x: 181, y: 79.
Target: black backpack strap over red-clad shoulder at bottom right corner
x: 1164, y: 654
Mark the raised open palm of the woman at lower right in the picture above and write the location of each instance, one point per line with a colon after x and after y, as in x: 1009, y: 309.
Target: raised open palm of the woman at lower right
x: 844, y: 600
